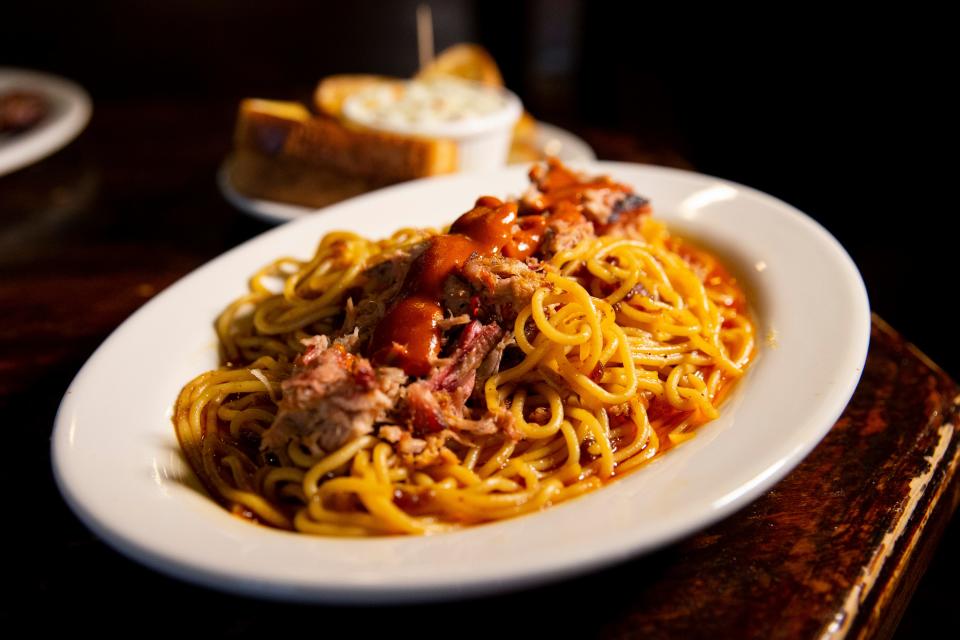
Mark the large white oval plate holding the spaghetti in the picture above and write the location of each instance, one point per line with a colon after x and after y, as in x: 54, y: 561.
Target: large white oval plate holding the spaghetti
x: 117, y: 460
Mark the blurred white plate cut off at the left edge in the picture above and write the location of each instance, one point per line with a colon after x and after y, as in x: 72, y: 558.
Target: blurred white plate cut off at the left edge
x: 69, y: 112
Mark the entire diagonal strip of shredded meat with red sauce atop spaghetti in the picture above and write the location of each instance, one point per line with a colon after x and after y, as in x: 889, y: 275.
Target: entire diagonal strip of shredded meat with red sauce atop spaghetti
x: 335, y: 395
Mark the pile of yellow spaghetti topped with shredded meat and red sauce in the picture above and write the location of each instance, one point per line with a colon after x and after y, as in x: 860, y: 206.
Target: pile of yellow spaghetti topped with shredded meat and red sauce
x: 537, y: 349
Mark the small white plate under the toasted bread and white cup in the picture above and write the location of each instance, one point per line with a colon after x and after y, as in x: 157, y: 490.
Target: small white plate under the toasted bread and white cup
x: 550, y: 139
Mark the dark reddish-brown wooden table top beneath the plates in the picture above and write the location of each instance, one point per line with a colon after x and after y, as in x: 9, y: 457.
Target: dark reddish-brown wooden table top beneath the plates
x: 88, y: 235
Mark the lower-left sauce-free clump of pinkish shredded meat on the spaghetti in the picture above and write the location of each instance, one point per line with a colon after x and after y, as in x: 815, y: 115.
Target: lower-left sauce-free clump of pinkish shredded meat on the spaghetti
x: 332, y: 397
